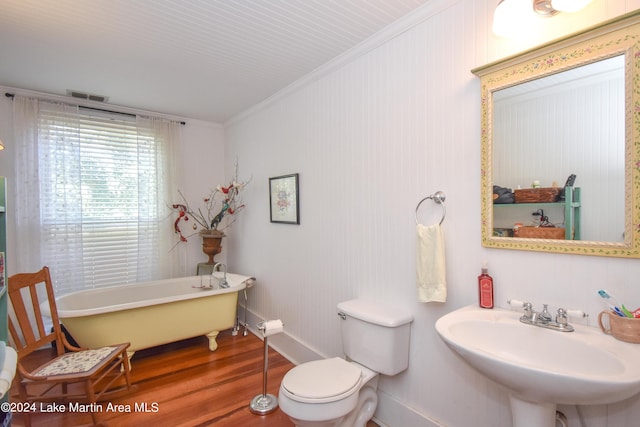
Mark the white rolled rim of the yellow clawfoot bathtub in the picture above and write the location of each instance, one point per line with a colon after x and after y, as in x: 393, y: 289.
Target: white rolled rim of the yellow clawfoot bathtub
x: 237, y: 283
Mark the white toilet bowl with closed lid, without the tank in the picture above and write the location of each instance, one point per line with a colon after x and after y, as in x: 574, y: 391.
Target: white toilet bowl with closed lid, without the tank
x: 329, y: 393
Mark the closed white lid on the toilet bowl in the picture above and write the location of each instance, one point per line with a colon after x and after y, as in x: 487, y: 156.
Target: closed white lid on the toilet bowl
x: 322, y: 379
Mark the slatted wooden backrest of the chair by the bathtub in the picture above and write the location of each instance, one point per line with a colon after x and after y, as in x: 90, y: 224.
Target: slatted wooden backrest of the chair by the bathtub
x: 28, y: 328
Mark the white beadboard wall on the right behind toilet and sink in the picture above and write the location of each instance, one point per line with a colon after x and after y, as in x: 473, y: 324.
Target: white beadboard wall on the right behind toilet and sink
x: 371, y: 134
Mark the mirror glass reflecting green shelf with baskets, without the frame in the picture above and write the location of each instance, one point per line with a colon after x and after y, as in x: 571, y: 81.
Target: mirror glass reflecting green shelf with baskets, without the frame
x: 549, y: 128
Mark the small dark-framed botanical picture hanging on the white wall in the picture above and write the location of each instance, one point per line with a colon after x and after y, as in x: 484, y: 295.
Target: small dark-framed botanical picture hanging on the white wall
x: 284, y: 199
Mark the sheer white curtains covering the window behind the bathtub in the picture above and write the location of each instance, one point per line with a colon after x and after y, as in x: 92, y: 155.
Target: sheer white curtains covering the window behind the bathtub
x: 91, y: 224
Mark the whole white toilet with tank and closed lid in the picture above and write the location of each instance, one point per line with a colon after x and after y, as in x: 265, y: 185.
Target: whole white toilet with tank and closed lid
x: 343, y: 393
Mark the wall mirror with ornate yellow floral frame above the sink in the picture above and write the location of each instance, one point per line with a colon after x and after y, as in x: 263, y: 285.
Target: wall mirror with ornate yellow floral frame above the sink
x: 569, y: 107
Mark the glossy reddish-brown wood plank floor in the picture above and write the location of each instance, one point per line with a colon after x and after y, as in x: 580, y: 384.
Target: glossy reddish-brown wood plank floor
x: 184, y: 384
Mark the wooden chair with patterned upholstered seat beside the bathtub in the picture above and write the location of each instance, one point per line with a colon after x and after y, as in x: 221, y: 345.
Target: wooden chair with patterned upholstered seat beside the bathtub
x: 73, y: 374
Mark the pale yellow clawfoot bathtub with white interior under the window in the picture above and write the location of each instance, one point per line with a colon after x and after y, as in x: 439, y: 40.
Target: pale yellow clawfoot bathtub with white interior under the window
x: 152, y: 313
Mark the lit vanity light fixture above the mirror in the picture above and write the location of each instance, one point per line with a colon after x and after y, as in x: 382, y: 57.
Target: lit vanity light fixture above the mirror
x: 511, y: 15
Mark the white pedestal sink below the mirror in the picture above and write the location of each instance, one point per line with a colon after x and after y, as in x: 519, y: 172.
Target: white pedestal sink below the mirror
x: 540, y: 367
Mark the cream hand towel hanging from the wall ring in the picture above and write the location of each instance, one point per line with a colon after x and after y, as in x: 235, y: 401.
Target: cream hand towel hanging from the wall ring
x: 430, y: 264
